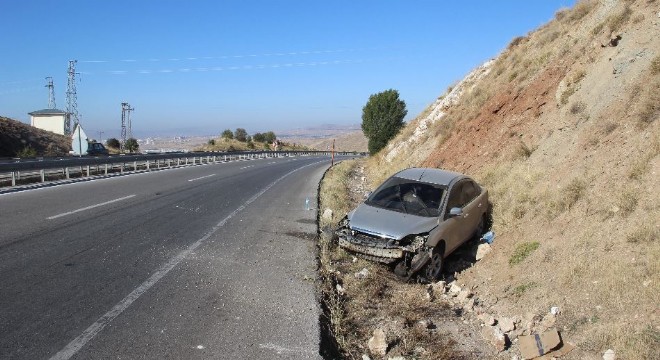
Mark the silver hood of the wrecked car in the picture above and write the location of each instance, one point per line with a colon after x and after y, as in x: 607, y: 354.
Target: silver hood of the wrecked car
x: 388, y: 223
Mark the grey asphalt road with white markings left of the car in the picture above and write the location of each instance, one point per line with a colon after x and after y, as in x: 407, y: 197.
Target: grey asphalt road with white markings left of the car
x: 213, y: 261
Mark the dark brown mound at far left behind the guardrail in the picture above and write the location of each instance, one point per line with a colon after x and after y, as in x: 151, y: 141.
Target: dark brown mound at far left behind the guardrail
x: 16, y: 136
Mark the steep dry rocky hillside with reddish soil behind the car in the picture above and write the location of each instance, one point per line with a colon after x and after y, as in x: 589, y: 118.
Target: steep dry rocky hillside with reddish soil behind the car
x: 562, y: 129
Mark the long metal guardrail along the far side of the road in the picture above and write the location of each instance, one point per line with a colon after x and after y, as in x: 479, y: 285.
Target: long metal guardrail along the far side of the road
x: 65, y: 167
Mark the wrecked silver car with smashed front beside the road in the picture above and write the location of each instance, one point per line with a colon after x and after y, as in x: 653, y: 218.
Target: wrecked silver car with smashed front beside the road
x: 415, y: 219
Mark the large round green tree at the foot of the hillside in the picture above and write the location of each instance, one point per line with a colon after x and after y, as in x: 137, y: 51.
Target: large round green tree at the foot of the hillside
x: 382, y: 118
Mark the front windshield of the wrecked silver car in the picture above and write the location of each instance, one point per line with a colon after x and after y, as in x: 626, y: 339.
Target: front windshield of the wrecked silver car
x: 408, y: 196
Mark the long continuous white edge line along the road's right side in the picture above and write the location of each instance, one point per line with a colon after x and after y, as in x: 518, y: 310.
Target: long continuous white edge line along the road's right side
x: 76, y: 344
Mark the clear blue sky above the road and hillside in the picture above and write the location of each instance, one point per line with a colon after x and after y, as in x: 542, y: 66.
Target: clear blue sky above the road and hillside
x: 198, y: 67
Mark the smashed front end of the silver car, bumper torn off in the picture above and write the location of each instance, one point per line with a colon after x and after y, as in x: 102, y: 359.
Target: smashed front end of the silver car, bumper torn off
x: 381, y: 248
